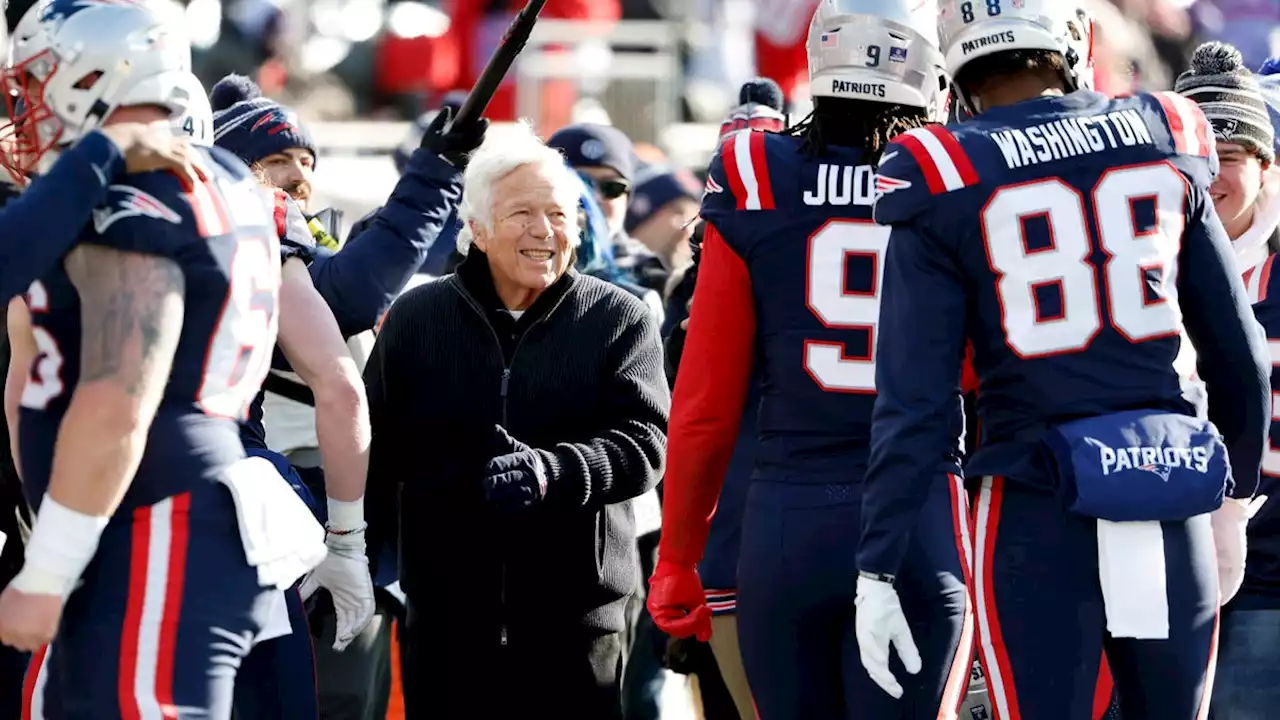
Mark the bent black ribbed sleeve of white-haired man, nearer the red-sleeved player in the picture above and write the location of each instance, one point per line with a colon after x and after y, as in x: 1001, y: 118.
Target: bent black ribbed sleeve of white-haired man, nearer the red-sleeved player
x: 625, y: 459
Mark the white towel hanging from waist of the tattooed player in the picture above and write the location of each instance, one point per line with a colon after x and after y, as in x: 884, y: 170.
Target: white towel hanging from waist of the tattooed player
x: 281, y: 536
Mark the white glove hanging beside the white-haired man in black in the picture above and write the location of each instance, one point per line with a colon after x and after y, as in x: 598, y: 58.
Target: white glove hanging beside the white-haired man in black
x: 345, y: 573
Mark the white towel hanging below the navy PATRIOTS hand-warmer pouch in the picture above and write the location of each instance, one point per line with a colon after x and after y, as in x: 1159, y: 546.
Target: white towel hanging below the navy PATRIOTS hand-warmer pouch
x: 1132, y: 571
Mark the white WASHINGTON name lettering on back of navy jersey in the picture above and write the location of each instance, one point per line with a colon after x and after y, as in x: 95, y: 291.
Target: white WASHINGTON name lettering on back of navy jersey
x: 1071, y: 138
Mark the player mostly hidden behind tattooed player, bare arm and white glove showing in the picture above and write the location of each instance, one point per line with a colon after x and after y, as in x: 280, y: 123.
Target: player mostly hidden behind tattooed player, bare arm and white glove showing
x: 280, y: 678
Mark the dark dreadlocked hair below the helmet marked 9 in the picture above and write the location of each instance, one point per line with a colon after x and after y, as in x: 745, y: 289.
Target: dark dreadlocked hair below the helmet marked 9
x: 856, y: 124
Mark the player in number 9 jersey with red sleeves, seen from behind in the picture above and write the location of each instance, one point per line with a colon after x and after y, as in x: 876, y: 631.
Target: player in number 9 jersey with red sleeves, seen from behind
x: 789, y: 281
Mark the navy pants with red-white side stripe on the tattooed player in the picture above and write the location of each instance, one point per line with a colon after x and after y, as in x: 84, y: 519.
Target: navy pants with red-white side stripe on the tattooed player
x: 167, y: 612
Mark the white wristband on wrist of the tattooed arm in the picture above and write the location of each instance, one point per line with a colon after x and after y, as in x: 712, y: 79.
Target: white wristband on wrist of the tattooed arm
x: 62, y: 545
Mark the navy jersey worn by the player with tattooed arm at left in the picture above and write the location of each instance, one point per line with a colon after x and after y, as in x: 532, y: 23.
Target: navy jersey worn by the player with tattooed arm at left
x: 221, y: 235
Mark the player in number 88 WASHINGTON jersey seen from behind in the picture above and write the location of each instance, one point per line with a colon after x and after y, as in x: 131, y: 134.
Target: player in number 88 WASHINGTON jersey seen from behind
x: 1073, y: 240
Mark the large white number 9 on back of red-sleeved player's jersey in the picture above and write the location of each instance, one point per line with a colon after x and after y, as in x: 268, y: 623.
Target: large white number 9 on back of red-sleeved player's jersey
x: 836, y: 307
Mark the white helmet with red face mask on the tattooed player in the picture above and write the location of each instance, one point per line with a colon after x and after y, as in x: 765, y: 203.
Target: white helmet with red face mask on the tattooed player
x: 74, y: 62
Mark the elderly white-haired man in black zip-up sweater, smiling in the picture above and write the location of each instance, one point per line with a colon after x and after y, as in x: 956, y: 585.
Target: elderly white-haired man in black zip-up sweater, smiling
x: 518, y: 408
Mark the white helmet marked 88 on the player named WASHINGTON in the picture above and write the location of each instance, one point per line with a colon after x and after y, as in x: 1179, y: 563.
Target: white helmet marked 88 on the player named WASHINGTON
x: 975, y: 29
